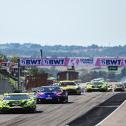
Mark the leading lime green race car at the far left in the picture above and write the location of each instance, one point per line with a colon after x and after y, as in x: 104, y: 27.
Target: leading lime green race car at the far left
x: 17, y: 101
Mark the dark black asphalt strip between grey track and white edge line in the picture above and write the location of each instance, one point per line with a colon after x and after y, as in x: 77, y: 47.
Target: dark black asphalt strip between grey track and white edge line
x: 98, y: 113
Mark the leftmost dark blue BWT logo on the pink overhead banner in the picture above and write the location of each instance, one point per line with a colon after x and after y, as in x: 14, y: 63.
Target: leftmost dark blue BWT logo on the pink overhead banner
x: 31, y: 62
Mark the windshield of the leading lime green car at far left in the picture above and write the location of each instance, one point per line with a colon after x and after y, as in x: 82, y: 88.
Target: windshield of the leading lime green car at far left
x: 16, y: 97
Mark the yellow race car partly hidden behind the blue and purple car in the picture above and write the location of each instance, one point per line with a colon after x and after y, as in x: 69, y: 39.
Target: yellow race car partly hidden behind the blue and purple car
x: 71, y: 86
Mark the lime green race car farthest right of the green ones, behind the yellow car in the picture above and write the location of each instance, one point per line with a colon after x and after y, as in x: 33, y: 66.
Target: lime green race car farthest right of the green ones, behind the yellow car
x: 98, y: 84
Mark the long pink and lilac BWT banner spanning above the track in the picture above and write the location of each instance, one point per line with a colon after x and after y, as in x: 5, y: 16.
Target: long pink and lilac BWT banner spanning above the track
x: 74, y: 61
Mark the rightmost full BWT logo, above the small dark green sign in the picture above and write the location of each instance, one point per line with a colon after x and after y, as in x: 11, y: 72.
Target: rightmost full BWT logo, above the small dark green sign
x: 111, y: 62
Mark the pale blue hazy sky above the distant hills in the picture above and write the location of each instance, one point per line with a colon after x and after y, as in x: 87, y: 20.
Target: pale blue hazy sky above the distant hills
x: 65, y: 22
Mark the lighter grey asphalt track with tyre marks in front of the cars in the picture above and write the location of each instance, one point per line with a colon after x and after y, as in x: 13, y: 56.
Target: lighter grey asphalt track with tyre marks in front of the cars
x: 56, y: 114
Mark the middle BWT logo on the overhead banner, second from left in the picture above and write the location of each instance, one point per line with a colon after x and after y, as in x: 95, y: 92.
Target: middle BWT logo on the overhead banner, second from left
x: 53, y: 62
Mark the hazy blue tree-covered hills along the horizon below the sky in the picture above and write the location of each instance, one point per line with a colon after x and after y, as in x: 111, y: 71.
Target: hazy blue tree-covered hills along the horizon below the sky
x: 33, y: 50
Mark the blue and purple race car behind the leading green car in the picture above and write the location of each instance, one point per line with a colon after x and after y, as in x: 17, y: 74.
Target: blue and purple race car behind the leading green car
x: 51, y: 94
